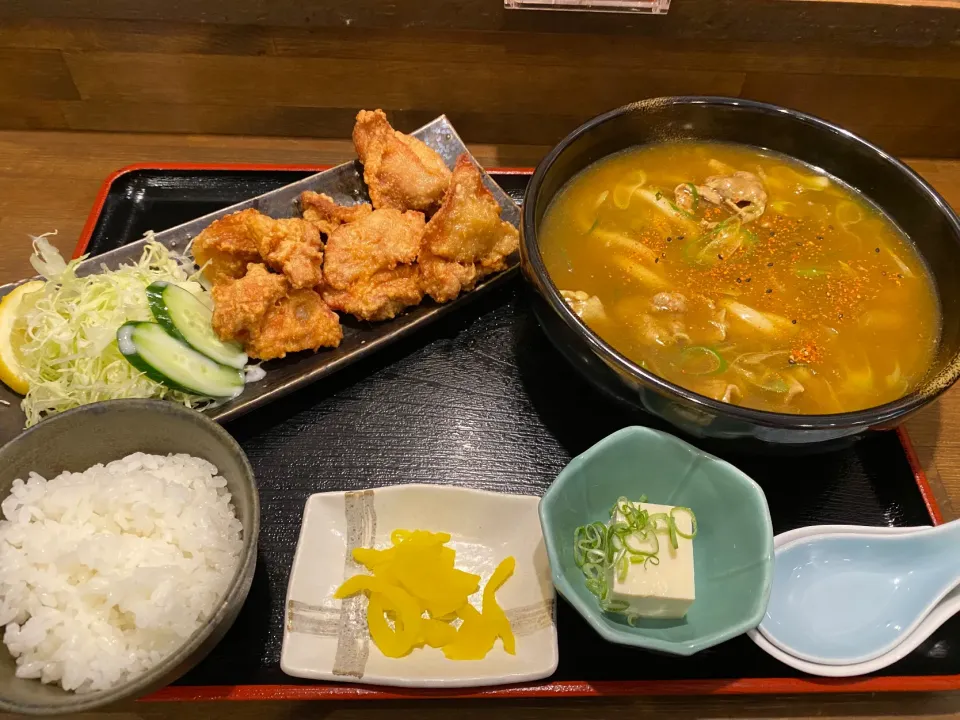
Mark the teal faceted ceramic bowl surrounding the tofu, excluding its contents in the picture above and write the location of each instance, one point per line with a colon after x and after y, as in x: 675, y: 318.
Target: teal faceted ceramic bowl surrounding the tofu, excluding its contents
x: 733, y: 549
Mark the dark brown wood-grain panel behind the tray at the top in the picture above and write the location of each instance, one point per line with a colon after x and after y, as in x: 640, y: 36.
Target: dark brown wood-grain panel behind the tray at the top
x: 302, y: 69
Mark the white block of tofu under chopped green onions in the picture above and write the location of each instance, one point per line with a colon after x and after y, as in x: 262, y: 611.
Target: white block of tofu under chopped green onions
x: 658, y: 591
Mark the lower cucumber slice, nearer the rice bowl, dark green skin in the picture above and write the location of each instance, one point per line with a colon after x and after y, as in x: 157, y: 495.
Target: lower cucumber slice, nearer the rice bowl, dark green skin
x: 173, y: 363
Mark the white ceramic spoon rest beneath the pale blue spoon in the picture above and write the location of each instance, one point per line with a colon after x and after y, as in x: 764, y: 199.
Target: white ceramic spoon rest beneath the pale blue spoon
x: 940, y: 613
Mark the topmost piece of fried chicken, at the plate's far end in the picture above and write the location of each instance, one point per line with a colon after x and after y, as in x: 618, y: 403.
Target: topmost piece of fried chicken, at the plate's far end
x: 401, y: 172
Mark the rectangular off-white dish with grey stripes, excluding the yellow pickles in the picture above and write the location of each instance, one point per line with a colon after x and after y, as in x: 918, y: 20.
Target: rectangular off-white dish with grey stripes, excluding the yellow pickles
x: 327, y: 639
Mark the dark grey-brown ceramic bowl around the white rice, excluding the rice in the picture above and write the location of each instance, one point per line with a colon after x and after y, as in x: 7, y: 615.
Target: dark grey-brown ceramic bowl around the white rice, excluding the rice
x: 78, y: 439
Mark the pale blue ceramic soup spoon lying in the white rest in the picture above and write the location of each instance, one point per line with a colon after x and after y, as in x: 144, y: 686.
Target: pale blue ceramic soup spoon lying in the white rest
x: 841, y: 599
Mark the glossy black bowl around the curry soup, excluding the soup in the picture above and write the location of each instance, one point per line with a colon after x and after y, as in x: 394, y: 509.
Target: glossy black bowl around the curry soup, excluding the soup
x: 910, y: 202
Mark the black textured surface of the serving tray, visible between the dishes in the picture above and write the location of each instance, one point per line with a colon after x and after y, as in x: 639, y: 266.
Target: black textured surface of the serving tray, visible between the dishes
x: 482, y: 398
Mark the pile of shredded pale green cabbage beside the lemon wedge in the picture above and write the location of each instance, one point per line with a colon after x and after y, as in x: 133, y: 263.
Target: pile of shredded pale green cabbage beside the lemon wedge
x: 70, y: 355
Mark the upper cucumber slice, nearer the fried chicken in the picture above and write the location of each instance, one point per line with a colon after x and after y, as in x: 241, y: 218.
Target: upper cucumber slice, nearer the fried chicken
x: 185, y: 317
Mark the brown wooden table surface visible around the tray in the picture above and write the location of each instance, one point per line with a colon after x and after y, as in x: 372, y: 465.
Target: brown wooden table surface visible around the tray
x: 48, y: 181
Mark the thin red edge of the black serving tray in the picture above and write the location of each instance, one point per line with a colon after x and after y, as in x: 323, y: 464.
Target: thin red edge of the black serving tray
x: 742, y: 686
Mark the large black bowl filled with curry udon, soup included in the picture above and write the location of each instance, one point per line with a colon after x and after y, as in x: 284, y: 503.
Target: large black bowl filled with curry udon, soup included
x: 744, y: 271
